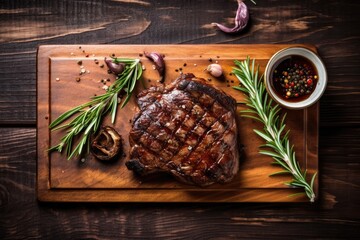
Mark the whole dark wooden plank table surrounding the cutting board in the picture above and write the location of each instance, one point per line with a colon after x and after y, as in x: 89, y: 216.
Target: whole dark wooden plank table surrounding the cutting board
x: 331, y: 25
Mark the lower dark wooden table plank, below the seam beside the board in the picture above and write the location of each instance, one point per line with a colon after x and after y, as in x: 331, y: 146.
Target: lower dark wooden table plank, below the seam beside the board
x: 336, y: 215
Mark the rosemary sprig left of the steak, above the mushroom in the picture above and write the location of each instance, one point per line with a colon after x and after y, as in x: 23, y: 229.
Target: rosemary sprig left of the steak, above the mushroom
x: 90, y: 114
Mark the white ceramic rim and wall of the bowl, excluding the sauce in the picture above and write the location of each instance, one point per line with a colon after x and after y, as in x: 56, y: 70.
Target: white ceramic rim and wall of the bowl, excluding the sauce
x: 312, y: 57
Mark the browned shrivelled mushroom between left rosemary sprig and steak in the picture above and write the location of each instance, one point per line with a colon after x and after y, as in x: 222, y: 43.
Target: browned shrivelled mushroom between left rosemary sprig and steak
x: 107, y: 144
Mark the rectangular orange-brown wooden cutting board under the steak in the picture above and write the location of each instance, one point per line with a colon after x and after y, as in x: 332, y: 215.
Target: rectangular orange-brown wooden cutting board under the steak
x: 90, y: 180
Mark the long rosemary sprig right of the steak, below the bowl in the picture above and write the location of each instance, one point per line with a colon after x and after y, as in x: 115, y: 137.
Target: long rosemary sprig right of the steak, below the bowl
x: 263, y: 110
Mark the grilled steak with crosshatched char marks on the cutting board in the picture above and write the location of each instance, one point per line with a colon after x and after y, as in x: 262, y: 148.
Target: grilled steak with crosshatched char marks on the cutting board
x: 188, y: 129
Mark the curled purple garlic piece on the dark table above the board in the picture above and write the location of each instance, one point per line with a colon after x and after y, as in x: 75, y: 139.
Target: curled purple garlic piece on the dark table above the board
x: 241, y: 19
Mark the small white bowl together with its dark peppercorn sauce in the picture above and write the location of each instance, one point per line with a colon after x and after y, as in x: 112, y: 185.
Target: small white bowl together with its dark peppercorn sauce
x: 295, y: 77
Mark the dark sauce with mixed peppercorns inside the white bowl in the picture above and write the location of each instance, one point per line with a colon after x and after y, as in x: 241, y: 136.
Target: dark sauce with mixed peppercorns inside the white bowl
x: 294, y: 78
